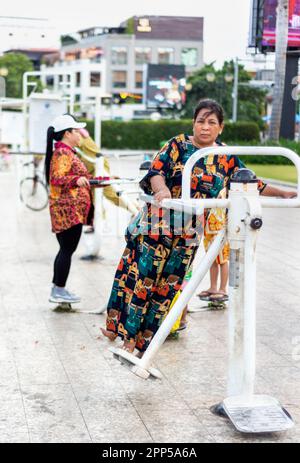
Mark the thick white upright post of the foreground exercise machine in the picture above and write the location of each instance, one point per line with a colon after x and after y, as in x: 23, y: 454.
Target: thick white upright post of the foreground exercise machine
x: 244, y: 207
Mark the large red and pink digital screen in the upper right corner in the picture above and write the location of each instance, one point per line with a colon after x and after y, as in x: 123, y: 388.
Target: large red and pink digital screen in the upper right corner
x: 269, y: 24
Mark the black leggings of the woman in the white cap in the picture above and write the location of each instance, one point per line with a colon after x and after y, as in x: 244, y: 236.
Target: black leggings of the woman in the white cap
x: 68, y: 241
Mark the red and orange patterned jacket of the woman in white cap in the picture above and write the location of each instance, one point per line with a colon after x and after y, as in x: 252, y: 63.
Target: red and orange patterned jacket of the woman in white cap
x: 69, y: 204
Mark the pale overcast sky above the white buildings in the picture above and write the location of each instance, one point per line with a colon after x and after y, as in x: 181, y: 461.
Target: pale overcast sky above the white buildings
x: 226, y: 22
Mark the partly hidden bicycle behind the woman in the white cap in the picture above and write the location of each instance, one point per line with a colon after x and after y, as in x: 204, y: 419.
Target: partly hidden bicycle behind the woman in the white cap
x: 33, y: 189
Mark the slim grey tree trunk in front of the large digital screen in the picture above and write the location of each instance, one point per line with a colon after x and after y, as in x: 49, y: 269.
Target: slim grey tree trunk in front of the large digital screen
x: 282, y: 24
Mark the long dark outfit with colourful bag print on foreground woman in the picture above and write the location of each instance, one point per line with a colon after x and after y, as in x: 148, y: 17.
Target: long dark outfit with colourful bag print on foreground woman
x: 160, y: 249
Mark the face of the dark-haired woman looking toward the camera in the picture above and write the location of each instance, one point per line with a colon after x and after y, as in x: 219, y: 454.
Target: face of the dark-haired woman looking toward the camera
x: 206, y: 128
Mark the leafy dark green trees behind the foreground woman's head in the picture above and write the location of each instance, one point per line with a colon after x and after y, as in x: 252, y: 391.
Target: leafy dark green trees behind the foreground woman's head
x: 208, y: 82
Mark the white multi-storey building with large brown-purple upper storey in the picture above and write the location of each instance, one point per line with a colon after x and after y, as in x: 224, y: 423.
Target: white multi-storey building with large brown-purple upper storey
x: 113, y: 60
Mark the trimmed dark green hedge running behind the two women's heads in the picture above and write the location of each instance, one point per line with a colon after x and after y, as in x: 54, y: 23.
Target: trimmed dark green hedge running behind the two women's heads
x: 148, y: 135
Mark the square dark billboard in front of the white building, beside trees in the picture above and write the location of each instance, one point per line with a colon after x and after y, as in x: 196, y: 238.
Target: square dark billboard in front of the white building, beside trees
x: 165, y: 86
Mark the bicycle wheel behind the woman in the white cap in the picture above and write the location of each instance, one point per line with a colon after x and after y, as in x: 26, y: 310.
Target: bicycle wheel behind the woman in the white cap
x: 34, y: 193
